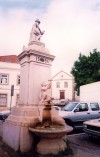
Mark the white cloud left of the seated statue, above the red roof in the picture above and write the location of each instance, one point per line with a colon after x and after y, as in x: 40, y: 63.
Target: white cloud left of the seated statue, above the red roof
x: 15, y: 29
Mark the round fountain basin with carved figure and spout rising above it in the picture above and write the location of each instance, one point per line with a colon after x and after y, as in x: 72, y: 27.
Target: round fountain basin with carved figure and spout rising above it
x: 51, y: 129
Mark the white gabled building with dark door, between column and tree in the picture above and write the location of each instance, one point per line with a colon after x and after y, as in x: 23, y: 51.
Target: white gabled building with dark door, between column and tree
x: 63, y: 86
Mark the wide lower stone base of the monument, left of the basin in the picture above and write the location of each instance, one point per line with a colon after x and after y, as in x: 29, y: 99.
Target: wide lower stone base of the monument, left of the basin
x: 16, y: 128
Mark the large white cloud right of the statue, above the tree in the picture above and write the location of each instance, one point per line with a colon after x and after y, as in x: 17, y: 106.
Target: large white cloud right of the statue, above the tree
x: 73, y: 27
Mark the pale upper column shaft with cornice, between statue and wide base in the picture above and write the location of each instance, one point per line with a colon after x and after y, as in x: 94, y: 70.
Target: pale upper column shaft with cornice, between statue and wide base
x: 35, y: 64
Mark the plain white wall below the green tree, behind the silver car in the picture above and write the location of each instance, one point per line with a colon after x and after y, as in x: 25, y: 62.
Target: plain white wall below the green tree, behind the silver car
x: 90, y: 92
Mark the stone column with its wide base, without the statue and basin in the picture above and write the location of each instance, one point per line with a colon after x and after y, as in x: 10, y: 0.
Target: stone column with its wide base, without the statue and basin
x: 35, y: 61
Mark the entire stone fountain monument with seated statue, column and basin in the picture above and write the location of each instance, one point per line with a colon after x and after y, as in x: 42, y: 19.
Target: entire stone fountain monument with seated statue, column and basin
x: 33, y: 115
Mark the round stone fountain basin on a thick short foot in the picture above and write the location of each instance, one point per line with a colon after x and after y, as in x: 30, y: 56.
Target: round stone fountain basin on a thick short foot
x: 51, y: 138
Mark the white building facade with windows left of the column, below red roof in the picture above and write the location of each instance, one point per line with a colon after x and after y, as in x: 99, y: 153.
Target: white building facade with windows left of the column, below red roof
x: 9, y: 75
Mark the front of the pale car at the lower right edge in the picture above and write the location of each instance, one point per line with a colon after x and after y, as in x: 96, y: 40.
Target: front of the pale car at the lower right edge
x: 92, y: 127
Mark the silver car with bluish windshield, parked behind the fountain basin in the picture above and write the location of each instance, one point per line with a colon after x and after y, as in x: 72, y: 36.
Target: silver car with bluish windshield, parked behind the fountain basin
x: 75, y: 113
